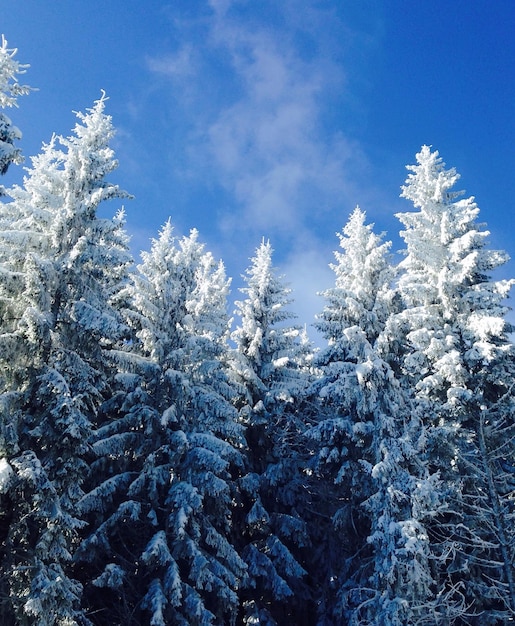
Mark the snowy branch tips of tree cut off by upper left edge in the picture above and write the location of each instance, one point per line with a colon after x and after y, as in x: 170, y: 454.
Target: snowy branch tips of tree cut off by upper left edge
x: 10, y: 89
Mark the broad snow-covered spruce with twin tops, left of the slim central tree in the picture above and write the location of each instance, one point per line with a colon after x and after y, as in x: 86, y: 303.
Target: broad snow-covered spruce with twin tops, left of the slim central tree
x: 164, y: 530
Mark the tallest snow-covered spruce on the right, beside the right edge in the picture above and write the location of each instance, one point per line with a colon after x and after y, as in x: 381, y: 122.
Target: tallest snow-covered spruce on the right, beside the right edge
x: 456, y: 355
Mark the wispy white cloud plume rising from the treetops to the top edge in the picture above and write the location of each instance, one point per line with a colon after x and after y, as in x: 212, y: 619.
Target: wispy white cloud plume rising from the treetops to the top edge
x: 262, y: 103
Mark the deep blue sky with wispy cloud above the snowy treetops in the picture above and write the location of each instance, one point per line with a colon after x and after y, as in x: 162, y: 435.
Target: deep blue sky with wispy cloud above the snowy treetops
x: 257, y: 118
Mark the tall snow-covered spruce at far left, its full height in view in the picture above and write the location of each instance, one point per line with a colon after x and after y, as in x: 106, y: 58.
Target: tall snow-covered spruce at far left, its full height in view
x: 60, y: 268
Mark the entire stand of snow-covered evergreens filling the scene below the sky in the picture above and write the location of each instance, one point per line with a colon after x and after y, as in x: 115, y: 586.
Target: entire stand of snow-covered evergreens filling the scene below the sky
x: 157, y: 468
